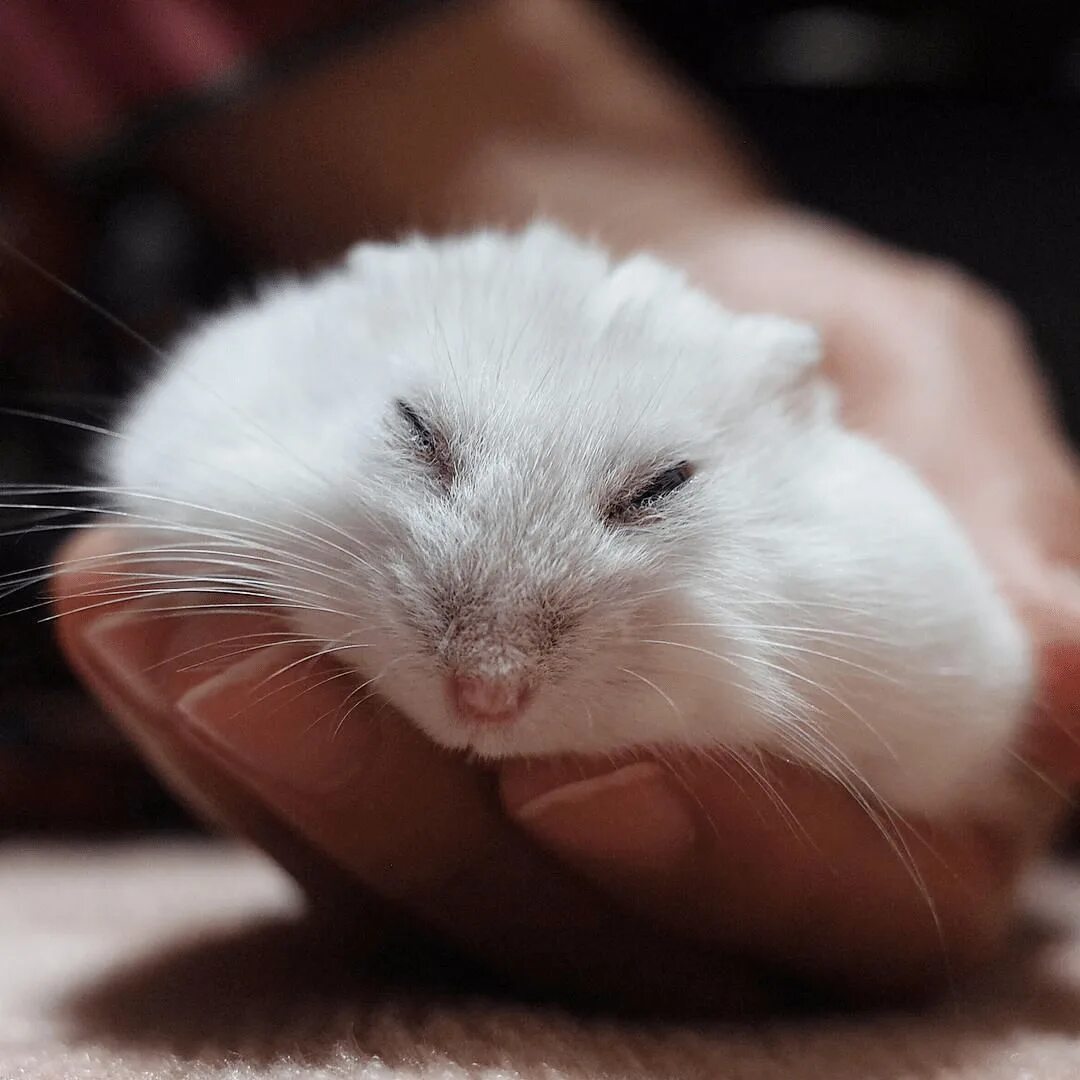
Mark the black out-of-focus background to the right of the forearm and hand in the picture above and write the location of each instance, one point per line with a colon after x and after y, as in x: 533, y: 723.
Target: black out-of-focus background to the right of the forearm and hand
x: 952, y: 129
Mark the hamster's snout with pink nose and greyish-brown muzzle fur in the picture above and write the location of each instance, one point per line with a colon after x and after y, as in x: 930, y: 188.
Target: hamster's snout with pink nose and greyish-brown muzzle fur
x: 495, y: 643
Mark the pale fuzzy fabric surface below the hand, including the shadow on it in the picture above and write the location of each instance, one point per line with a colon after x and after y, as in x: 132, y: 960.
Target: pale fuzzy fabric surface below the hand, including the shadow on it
x: 183, y: 960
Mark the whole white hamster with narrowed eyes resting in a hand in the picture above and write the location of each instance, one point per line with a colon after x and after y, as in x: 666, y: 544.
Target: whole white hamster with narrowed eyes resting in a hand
x: 547, y: 502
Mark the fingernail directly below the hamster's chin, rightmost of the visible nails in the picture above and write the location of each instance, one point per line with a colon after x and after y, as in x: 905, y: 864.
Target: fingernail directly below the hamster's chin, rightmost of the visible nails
x: 634, y: 818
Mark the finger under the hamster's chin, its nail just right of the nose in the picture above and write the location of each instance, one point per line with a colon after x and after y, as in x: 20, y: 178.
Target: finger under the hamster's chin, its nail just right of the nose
x: 805, y: 877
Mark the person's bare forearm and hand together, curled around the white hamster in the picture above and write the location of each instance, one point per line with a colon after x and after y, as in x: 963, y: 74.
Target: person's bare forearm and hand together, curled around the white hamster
x: 640, y: 884
